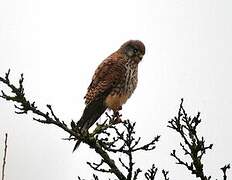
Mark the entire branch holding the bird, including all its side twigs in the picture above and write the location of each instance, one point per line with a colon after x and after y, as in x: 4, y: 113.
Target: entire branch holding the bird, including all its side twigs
x: 106, y: 138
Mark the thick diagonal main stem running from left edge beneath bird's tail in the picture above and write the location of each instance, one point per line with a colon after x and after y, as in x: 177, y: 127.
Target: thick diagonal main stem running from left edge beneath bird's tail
x: 45, y: 118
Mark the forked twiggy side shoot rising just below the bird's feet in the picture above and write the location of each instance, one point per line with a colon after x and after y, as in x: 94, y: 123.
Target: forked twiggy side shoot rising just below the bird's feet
x: 126, y: 143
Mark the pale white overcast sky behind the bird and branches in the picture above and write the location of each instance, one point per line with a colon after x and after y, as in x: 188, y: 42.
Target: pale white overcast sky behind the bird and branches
x: 58, y: 44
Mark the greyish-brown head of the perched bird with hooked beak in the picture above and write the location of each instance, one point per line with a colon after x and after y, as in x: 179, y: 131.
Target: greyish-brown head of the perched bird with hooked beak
x: 134, y: 50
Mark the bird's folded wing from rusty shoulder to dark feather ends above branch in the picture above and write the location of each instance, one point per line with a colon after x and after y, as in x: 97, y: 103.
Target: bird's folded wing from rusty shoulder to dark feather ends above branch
x: 107, y: 76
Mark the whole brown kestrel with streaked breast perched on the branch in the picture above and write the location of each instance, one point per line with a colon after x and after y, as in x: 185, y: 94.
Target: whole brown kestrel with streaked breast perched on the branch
x: 112, y: 84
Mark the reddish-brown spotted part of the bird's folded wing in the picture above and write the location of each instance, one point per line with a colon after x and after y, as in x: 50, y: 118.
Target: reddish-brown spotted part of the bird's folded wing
x: 108, y: 74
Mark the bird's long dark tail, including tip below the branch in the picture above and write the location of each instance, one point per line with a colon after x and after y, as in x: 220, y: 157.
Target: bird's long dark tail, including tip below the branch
x: 91, y: 114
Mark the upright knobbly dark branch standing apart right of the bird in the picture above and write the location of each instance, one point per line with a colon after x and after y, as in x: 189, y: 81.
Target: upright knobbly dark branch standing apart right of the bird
x: 193, y: 146
